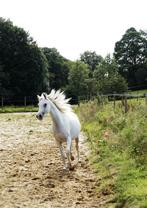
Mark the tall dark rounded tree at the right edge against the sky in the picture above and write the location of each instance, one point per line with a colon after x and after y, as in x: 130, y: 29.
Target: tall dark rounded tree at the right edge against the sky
x: 131, y: 54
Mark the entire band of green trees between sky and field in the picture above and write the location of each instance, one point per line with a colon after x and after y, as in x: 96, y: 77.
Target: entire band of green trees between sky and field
x: 26, y: 69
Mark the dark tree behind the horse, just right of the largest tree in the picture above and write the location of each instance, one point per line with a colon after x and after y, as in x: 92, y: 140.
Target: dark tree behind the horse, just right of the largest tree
x: 58, y: 68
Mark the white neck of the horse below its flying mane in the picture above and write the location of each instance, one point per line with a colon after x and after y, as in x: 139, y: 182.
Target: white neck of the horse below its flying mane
x: 55, y: 114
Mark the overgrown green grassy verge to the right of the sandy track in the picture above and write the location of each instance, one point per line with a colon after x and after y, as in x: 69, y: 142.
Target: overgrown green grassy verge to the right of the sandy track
x: 119, y: 151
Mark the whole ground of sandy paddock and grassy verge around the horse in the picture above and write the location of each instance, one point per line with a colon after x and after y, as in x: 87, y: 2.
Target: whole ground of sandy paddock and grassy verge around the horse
x: 112, y: 170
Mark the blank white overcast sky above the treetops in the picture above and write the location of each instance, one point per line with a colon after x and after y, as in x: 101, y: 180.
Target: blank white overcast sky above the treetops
x: 75, y: 26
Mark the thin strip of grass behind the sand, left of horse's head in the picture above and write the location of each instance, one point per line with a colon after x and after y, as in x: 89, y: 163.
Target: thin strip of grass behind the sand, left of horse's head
x: 14, y: 109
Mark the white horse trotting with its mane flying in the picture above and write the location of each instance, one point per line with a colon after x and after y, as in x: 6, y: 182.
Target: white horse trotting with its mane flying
x: 66, y: 125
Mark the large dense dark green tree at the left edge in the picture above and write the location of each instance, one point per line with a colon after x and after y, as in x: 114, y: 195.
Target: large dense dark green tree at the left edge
x: 24, y: 65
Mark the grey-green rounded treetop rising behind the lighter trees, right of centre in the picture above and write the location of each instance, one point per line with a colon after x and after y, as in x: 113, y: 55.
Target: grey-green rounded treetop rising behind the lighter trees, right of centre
x: 91, y: 58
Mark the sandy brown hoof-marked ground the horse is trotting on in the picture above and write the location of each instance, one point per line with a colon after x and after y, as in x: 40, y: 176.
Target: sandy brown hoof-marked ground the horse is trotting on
x: 31, y: 172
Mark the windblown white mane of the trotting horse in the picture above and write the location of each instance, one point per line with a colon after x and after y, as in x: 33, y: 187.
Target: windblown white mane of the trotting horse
x: 59, y: 99
